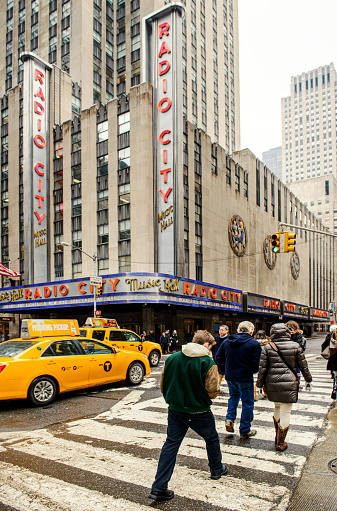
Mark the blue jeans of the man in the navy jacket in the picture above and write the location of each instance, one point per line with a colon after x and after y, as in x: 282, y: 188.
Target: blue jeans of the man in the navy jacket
x: 245, y: 392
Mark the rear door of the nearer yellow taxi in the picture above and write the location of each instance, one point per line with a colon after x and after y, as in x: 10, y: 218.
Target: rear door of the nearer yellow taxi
x: 64, y: 360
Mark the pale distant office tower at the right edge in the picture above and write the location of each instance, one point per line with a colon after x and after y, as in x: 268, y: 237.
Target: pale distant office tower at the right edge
x: 309, y: 141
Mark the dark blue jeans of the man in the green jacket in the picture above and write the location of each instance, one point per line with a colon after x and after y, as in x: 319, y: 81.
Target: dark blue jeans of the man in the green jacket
x: 177, y: 427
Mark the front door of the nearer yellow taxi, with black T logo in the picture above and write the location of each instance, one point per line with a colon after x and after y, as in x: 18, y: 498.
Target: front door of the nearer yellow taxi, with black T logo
x: 104, y: 364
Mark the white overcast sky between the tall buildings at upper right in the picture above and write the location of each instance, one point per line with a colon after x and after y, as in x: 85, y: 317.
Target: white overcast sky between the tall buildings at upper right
x: 278, y: 40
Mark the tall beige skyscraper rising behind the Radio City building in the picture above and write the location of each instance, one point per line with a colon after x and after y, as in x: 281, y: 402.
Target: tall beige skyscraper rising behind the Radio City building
x: 99, y: 42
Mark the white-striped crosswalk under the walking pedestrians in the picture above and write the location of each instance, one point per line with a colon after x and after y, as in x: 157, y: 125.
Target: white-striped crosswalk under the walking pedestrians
x: 108, y: 462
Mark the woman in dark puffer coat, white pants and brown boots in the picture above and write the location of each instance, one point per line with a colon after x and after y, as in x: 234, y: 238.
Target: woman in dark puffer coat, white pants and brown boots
x: 278, y: 374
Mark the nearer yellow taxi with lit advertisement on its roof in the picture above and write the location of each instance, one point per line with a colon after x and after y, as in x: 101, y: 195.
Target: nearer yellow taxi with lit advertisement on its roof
x: 51, y: 357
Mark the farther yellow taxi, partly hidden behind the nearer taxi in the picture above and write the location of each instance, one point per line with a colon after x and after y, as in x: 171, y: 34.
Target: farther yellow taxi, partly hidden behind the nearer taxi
x: 103, y: 330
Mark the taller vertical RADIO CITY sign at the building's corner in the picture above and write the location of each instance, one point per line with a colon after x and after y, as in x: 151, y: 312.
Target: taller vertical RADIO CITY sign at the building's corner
x: 163, y: 69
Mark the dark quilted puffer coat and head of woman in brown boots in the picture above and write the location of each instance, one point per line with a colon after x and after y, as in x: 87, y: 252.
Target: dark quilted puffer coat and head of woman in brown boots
x: 280, y: 383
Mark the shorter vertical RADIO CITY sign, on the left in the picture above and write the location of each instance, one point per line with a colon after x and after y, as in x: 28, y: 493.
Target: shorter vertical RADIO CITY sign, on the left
x: 36, y: 166
